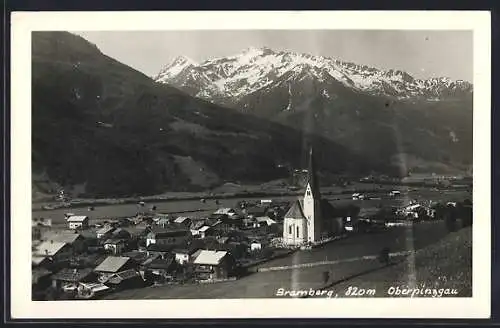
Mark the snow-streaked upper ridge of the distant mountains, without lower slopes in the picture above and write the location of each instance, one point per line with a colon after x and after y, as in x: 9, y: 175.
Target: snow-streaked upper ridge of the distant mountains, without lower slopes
x: 228, y: 80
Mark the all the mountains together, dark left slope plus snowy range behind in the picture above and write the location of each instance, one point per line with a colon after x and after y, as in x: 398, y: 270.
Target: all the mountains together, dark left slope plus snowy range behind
x: 103, y: 129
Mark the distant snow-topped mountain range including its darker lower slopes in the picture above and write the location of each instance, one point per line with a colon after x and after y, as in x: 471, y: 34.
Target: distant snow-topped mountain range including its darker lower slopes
x: 419, y: 125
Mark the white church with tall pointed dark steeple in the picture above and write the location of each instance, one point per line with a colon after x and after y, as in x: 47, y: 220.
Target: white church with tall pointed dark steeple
x: 311, y: 218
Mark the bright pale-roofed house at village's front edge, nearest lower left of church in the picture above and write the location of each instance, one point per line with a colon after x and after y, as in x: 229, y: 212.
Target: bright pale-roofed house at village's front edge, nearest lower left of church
x: 213, y: 265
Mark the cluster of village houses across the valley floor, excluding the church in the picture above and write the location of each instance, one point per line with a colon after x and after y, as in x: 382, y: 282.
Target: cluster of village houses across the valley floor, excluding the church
x: 86, y: 261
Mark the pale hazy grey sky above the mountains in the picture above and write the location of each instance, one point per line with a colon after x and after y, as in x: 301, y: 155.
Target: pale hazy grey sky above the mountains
x: 423, y: 54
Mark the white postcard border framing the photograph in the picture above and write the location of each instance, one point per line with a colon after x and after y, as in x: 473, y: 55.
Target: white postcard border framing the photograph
x: 24, y: 22
